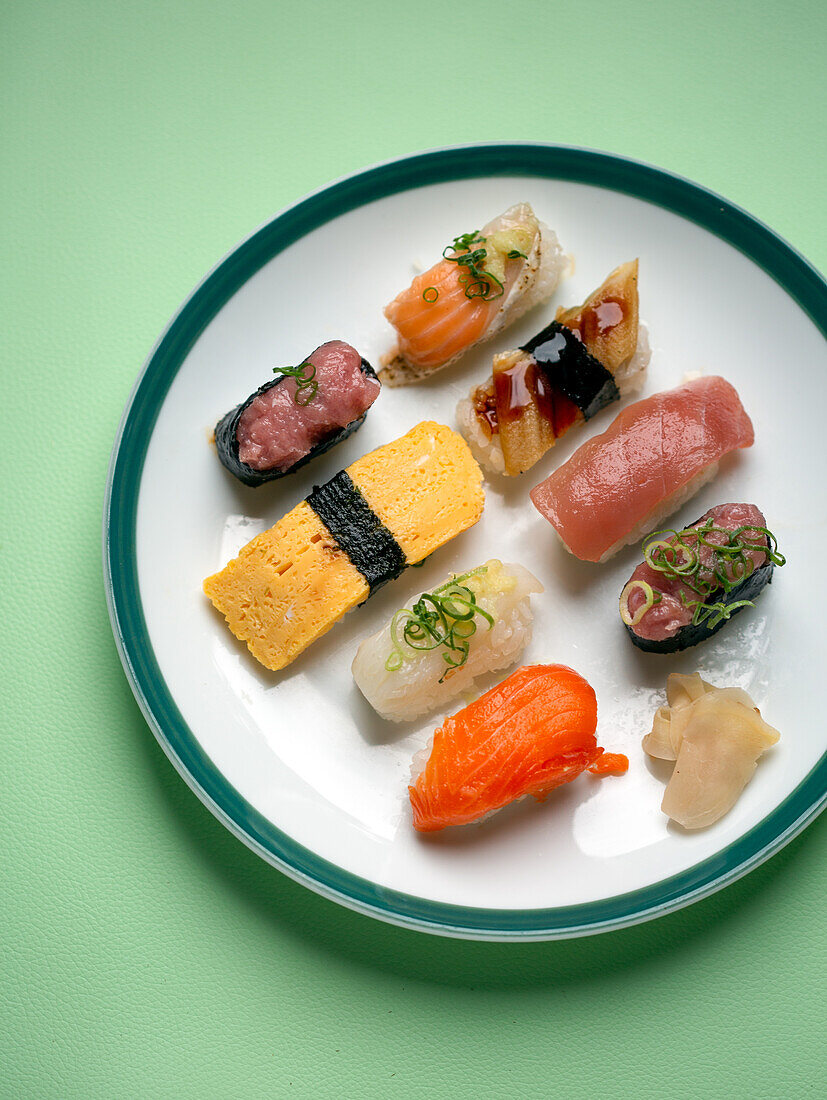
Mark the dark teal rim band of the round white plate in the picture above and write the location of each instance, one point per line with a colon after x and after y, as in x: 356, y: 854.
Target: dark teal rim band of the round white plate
x: 727, y: 222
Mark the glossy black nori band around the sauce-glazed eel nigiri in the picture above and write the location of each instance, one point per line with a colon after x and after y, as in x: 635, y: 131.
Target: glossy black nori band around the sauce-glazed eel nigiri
x: 570, y: 369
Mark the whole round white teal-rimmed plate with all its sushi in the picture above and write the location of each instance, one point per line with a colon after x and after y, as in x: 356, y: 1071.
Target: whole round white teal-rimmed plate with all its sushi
x: 491, y: 615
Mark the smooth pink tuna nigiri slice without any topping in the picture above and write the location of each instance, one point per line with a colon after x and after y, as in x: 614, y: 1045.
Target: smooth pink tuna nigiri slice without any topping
x: 650, y: 453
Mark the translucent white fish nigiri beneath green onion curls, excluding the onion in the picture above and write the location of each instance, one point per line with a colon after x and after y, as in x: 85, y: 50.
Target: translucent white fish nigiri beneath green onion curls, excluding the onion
x: 423, y: 684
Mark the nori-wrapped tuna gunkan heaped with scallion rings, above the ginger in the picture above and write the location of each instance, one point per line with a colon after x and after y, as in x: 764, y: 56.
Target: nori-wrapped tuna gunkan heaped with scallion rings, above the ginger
x: 693, y: 581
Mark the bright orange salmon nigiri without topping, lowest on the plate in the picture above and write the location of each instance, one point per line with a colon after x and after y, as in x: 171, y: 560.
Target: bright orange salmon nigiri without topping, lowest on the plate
x: 528, y: 735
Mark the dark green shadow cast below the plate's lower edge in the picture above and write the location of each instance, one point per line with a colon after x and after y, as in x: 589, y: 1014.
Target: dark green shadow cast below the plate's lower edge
x: 314, y: 923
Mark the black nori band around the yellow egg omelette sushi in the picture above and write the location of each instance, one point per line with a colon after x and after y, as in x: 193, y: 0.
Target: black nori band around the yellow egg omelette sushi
x: 358, y: 531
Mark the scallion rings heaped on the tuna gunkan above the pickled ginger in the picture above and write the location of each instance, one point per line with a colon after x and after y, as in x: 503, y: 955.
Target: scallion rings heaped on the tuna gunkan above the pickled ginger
x: 677, y: 555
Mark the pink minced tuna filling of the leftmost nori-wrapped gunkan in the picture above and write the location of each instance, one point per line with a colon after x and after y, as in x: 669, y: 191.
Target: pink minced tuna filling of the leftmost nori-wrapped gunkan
x: 275, y: 433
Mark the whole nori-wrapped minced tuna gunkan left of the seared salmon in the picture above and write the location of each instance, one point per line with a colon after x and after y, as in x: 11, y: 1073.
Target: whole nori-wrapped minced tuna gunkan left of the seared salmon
x: 301, y: 414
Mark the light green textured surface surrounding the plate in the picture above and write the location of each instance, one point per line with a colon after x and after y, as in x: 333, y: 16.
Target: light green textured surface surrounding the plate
x: 147, y: 953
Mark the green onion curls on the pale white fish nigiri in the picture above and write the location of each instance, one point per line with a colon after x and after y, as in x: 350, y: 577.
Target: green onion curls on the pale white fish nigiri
x: 445, y: 618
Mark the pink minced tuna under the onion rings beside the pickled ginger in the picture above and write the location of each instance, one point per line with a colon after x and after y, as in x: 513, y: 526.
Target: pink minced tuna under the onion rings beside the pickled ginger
x: 666, y: 619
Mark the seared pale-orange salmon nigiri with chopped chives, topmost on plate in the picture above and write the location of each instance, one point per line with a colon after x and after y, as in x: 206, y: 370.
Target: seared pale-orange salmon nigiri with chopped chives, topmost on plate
x: 486, y: 281
